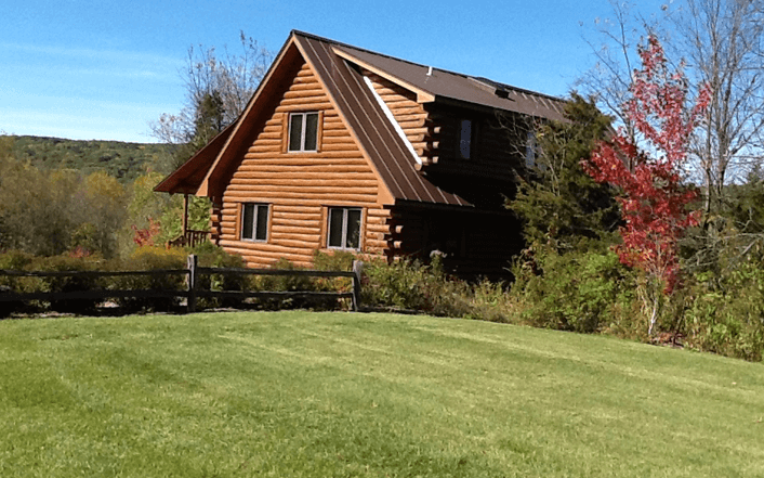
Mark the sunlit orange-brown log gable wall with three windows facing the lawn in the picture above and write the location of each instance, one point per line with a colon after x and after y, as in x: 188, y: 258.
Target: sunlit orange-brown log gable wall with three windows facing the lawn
x: 299, y: 186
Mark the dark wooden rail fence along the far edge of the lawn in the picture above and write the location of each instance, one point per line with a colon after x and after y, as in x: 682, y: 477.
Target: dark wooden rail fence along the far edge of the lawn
x: 192, y: 291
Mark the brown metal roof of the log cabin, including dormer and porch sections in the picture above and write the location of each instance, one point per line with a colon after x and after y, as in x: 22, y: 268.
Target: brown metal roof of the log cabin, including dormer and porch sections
x: 337, y: 67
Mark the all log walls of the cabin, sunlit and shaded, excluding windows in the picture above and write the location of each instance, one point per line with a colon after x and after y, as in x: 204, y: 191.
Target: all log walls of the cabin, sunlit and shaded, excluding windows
x: 300, y: 187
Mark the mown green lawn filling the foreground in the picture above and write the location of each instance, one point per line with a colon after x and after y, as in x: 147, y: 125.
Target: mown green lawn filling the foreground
x: 339, y: 394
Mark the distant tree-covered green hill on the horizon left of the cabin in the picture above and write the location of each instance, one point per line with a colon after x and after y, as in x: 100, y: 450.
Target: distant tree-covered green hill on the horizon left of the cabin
x: 124, y: 161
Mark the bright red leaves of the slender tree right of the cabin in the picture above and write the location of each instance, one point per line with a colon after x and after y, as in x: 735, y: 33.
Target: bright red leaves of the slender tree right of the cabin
x: 654, y: 201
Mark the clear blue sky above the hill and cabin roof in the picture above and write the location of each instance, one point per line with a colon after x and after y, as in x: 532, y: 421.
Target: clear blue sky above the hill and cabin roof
x: 84, y: 69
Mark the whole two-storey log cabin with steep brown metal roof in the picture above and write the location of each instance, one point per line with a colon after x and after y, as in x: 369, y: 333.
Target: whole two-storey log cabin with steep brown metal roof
x: 341, y: 148
